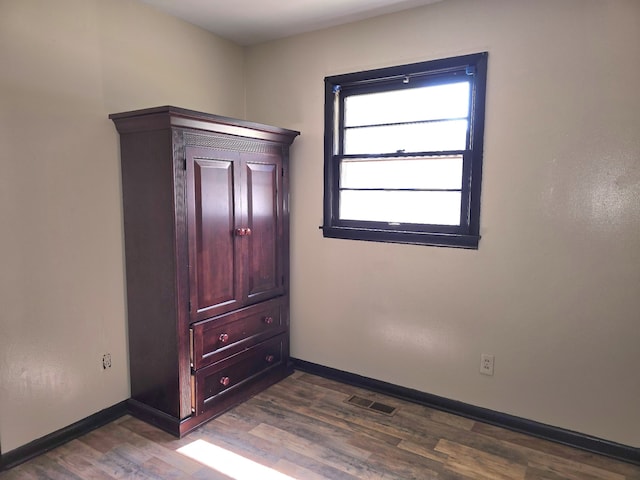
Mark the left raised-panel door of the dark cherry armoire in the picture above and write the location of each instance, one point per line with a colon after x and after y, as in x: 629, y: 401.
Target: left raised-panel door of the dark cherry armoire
x: 213, y: 214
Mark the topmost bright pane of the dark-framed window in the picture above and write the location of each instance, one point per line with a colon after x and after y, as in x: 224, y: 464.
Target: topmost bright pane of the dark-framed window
x: 408, y: 105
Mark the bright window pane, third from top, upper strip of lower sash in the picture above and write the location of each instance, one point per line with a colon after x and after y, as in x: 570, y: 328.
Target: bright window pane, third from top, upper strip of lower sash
x: 444, y: 172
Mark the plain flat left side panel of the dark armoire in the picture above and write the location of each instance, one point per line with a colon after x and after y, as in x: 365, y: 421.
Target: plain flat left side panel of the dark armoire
x: 149, y: 223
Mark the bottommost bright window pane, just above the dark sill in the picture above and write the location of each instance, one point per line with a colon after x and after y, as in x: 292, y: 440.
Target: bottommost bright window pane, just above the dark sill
x: 436, y: 208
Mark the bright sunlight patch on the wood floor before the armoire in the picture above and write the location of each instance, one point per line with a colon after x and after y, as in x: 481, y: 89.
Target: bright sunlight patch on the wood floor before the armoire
x: 229, y: 463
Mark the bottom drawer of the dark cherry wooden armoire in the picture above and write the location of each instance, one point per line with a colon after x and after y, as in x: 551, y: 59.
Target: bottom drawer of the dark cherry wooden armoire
x: 215, y: 382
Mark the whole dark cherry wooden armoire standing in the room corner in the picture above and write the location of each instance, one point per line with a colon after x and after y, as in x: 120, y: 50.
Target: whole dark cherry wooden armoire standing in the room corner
x: 206, y: 210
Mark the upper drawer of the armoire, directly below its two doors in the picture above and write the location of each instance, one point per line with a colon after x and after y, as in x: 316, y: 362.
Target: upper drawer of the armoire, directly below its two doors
x: 217, y: 338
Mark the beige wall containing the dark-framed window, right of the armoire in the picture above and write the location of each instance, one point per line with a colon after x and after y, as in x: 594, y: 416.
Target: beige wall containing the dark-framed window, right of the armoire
x: 554, y: 289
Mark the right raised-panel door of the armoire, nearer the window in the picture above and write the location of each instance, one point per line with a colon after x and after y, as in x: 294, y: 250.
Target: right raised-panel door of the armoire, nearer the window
x: 264, y: 268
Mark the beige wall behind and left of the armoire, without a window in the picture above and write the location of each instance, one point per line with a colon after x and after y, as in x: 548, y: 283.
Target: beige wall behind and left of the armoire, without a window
x: 64, y: 66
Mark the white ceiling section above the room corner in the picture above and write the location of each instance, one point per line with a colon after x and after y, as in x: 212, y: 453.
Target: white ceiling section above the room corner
x: 248, y: 22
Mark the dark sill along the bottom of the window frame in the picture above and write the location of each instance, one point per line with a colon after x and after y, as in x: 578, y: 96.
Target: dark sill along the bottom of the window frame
x: 453, y: 240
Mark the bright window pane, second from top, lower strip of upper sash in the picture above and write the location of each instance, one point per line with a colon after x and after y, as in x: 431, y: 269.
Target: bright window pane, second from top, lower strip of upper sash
x: 412, y: 137
